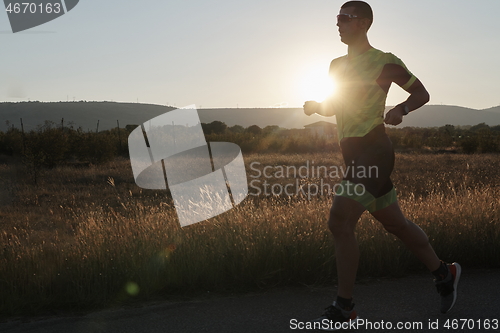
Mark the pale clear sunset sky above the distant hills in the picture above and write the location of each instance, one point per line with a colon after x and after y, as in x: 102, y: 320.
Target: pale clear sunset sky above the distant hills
x: 233, y: 53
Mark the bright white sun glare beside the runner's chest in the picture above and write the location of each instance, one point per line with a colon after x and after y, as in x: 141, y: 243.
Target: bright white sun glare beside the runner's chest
x: 316, y: 85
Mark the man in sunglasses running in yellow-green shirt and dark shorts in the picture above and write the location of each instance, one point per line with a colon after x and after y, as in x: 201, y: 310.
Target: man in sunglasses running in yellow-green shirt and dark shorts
x: 363, y: 78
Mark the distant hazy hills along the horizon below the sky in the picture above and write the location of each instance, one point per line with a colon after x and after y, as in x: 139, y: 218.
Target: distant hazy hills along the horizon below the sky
x: 87, y: 114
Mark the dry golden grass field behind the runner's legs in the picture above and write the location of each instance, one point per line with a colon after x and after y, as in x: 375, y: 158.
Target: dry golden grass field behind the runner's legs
x: 90, y: 237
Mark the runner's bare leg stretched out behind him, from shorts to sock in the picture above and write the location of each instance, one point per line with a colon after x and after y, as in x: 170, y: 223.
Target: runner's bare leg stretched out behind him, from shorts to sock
x: 410, y: 234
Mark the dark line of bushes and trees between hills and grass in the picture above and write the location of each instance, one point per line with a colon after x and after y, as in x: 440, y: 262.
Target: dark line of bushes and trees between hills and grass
x: 50, y: 144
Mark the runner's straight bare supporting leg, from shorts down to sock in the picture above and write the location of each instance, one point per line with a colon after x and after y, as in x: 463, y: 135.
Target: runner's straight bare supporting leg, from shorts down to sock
x: 344, y: 215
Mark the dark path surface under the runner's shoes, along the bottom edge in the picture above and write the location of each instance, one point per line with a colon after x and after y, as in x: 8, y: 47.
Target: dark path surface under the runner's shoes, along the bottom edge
x: 411, y: 300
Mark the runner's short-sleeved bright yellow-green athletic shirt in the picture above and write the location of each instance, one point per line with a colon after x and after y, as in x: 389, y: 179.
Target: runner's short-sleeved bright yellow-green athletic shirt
x: 362, y: 84
